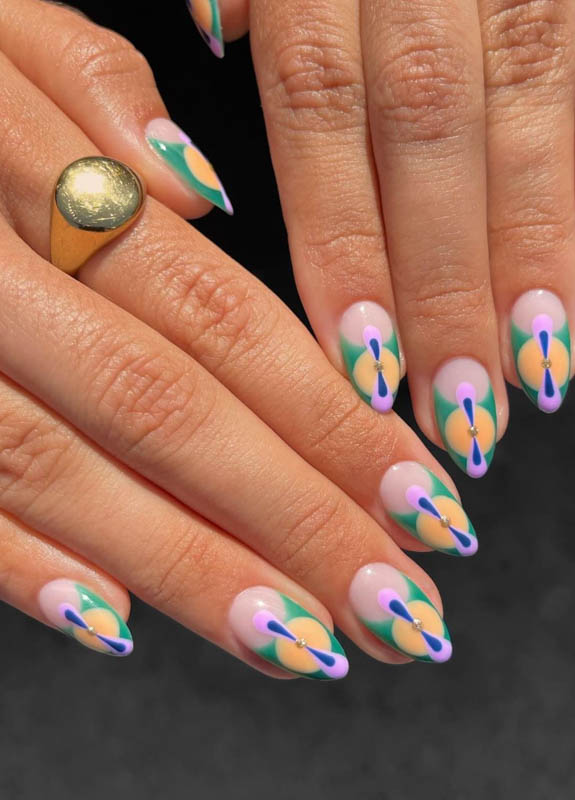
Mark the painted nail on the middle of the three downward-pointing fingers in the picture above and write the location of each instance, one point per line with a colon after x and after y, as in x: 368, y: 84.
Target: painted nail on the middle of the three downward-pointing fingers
x: 466, y: 415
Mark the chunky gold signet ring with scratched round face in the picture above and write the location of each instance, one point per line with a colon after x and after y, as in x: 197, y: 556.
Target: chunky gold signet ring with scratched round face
x: 95, y: 200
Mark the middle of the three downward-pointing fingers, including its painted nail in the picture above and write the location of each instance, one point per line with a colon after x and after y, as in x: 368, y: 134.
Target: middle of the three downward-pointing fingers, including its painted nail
x: 424, y: 71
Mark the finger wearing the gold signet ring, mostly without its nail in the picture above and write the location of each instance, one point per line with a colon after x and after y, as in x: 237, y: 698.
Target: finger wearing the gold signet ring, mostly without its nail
x: 212, y: 309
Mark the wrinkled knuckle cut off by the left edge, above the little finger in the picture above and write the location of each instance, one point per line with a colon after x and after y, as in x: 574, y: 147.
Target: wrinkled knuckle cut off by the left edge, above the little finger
x: 34, y: 453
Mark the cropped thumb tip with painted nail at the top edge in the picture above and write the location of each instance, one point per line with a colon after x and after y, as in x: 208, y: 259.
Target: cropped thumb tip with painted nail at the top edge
x: 219, y: 20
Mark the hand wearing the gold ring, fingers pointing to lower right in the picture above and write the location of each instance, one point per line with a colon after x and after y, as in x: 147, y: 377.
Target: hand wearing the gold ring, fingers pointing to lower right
x: 168, y: 422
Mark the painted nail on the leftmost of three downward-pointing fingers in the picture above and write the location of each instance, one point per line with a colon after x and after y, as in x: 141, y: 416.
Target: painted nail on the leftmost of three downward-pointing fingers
x: 371, y: 353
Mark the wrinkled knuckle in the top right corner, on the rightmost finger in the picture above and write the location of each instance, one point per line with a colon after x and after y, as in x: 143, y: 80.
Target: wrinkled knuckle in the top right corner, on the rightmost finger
x: 528, y: 42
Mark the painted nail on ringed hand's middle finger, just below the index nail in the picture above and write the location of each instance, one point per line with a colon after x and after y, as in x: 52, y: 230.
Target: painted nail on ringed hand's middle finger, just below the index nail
x: 395, y: 609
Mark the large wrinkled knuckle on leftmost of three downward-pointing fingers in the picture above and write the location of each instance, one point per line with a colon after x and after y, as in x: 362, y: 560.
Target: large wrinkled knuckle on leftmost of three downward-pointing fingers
x: 318, y: 82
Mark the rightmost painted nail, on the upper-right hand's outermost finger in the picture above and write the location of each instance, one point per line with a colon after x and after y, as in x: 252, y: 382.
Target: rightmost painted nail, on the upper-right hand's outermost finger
x: 541, y: 345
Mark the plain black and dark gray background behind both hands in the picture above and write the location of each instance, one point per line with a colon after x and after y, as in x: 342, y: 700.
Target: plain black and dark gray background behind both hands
x: 182, y: 719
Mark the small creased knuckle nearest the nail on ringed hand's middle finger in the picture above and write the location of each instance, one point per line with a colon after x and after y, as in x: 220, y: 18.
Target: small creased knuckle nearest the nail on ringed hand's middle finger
x: 316, y: 530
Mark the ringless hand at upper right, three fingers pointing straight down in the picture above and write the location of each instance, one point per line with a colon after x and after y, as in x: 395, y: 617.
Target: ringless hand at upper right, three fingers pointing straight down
x: 425, y: 157
